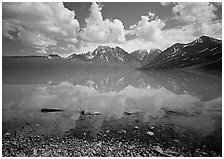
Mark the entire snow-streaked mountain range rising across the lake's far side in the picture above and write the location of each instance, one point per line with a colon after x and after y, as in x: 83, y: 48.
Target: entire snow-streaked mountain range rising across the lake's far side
x: 204, y: 52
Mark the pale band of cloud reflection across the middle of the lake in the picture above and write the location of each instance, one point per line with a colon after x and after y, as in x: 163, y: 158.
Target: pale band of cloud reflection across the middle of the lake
x: 76, y: 98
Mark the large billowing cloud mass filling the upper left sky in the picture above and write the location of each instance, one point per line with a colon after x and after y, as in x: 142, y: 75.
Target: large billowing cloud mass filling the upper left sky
x: 39, y: 25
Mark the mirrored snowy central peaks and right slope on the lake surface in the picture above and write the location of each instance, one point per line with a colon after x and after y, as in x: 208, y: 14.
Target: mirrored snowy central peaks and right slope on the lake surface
x: 198, y: 84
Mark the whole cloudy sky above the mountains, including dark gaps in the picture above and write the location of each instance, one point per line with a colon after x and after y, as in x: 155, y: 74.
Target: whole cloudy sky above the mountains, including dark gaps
x: 40, y: 28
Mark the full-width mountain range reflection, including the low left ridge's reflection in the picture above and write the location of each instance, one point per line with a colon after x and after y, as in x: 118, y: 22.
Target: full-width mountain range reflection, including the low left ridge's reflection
x: 201, y: 85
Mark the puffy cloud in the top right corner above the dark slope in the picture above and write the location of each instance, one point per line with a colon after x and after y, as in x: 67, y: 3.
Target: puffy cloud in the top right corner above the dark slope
x: 200, y: 16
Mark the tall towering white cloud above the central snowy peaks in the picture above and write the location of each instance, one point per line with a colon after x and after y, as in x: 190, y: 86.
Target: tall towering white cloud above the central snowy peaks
x: 98, y: 30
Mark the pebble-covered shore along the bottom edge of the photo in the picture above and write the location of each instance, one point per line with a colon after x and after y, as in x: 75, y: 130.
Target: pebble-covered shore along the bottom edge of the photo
x: 107, y: 143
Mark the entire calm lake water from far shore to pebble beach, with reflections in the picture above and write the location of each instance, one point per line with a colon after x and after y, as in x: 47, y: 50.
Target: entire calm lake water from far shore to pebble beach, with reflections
x: 189, y: 102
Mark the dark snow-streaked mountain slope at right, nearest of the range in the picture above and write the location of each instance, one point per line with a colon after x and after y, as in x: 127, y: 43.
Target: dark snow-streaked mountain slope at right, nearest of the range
x: 203, y: 52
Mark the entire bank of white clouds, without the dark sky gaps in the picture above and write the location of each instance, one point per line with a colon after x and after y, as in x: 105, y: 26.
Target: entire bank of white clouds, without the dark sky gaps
x: 51, y: 27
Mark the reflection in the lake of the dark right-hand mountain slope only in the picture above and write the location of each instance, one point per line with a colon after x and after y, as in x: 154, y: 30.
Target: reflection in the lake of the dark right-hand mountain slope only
x: 198, y: 84
